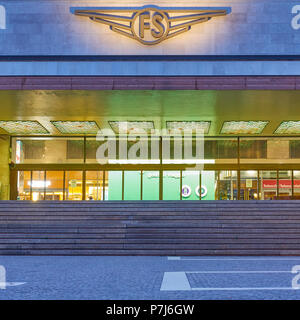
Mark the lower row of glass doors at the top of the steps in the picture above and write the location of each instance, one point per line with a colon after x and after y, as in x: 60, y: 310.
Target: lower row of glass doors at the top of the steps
x: 39, y: 185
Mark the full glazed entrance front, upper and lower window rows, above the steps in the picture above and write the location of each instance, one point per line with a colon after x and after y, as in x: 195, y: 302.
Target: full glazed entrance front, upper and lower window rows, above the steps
x: 64, y: 168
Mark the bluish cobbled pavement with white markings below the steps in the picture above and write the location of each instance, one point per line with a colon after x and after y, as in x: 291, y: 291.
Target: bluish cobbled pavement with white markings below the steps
x: 149, y: 278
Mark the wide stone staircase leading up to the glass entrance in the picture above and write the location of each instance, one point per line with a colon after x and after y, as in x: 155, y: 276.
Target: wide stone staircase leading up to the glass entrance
x: 150, y: 228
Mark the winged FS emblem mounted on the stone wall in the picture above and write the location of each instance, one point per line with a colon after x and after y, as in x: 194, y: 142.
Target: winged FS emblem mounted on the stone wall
x: 150, y: 25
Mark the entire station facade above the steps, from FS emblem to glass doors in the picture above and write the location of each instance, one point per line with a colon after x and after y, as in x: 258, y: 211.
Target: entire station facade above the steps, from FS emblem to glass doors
x: 132, y: 100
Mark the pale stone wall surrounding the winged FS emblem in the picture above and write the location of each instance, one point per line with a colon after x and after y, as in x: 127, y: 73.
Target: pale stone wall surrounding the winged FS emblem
x: 47, y: 27
